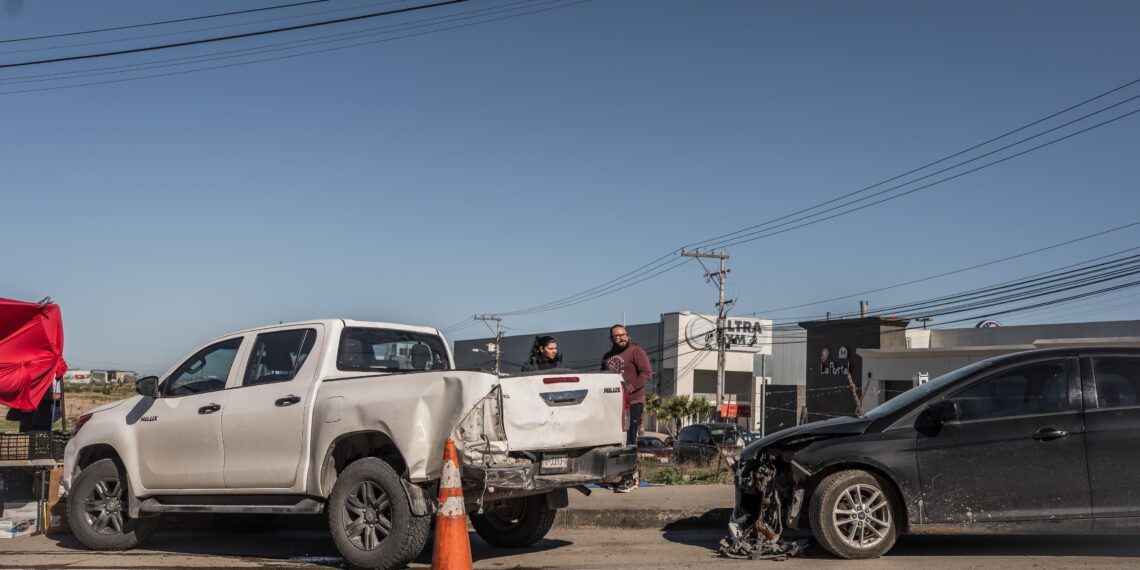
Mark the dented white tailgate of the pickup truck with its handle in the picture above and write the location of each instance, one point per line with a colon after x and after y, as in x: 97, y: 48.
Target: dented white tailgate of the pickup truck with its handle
x: 561, y: 411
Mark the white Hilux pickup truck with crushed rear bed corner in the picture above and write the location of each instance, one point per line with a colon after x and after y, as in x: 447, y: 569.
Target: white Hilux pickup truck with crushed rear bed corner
x: 347, y: 419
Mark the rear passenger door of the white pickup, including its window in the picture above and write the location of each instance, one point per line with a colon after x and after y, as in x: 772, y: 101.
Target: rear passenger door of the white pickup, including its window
x: 264, y: 424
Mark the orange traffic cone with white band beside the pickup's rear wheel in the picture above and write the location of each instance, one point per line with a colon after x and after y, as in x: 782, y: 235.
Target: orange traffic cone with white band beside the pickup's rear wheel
x: 452, y: 550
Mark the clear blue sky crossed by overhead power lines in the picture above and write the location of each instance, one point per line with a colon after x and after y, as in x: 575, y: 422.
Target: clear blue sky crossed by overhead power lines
x: 511, y: 164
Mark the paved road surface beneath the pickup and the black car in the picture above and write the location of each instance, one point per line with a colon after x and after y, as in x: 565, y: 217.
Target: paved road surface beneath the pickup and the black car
x: 580, y: 549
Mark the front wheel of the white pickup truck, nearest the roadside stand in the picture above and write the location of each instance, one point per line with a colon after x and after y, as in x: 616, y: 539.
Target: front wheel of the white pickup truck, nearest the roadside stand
x: 97, y: 510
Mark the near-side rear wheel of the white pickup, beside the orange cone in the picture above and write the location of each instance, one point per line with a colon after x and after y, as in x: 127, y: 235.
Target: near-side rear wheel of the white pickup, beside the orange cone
x: 371, y: 517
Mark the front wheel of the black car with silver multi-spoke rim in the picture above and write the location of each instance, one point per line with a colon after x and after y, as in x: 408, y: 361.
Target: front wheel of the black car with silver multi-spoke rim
x: 853, y: 516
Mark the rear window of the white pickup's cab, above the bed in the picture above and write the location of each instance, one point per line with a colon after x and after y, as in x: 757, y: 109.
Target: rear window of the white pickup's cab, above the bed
x: 389, y: 351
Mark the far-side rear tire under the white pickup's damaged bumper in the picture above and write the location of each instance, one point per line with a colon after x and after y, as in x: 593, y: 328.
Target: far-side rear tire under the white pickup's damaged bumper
x: 516, y: 523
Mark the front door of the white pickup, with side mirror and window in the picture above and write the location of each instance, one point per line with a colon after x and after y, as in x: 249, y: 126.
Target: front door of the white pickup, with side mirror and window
x: 180, y: 436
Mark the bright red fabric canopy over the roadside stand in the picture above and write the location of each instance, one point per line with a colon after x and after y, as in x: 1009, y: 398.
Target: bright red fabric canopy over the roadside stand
x: 31, y: 352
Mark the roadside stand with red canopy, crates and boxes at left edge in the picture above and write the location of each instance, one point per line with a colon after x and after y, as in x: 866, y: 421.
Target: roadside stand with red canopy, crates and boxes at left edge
x: 31, y: 451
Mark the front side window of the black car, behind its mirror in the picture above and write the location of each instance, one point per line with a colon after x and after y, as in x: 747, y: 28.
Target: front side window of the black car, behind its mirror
x: 1037, y: 388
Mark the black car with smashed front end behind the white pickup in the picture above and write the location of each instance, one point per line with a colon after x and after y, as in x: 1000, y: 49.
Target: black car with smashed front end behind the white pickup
x: 1035, y: 443
